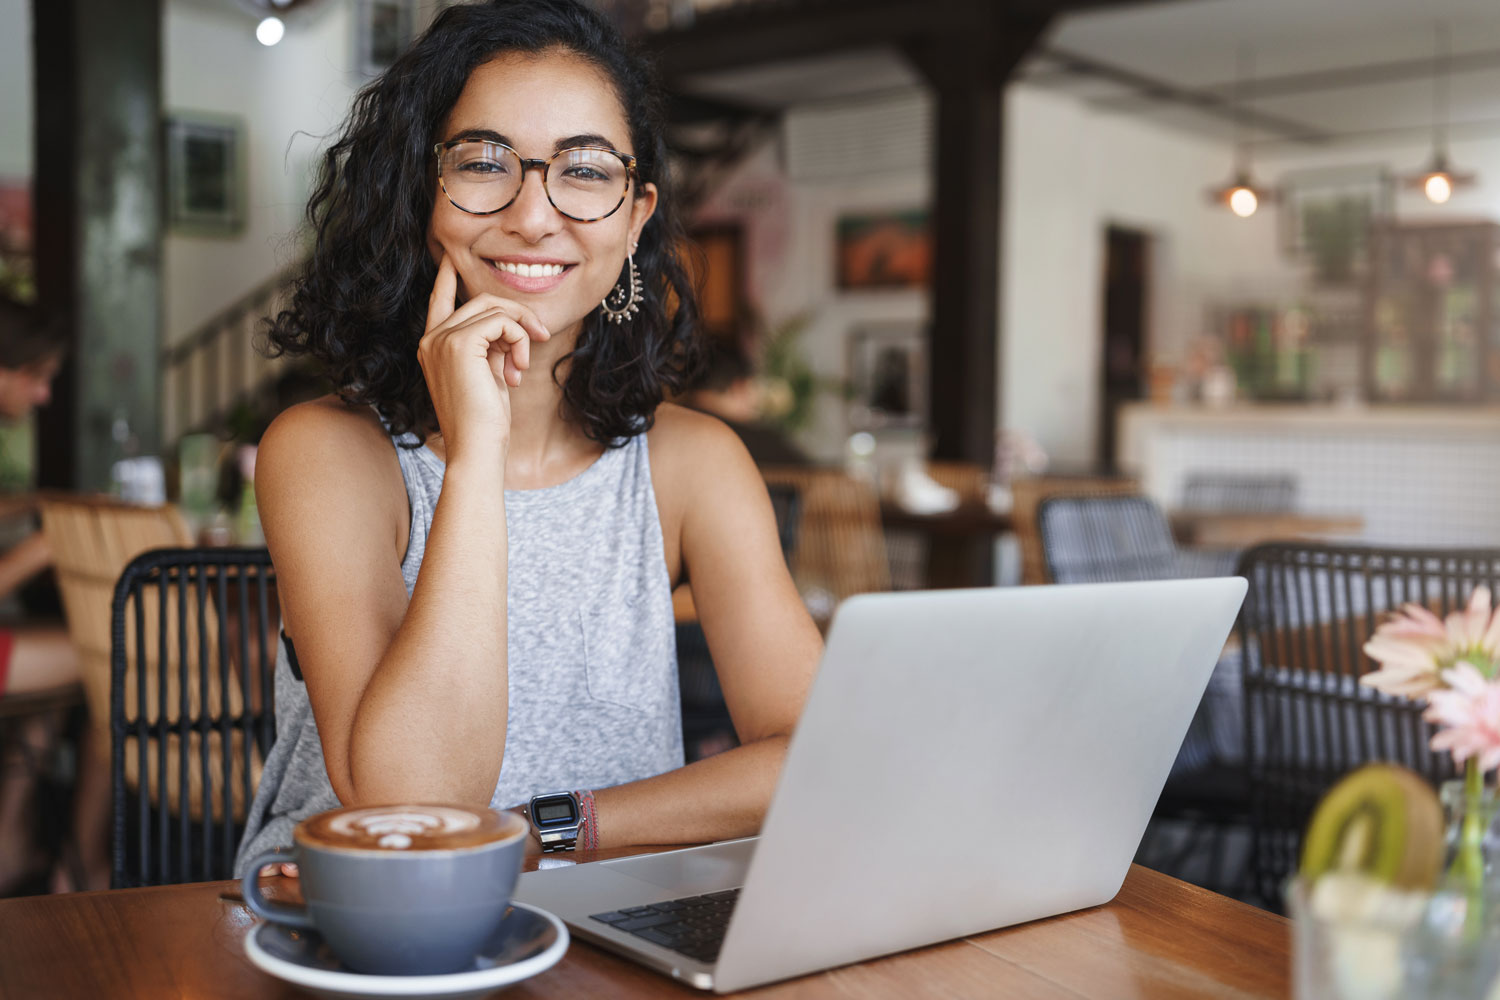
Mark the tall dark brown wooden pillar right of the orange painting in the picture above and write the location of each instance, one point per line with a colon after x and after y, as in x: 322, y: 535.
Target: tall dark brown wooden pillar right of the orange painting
x: 968, y: 70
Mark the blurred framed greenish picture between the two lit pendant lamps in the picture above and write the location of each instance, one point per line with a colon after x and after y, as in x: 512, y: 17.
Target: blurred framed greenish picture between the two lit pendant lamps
x: 1327, y: 214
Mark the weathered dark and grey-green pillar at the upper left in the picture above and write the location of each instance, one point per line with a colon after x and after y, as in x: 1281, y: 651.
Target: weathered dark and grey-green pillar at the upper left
x: 100, y: 227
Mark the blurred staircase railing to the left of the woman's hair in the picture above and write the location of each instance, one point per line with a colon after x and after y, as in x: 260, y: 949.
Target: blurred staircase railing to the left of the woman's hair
x: 218, y: 367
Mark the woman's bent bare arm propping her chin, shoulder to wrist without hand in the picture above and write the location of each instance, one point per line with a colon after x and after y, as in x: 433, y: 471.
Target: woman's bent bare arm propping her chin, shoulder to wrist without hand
x: 410, y: 699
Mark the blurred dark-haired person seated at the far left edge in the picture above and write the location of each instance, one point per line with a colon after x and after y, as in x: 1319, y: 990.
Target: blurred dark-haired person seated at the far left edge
x: 41, y: 657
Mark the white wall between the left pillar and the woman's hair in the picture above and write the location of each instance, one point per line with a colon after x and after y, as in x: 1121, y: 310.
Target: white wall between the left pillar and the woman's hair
x: 304, y: 85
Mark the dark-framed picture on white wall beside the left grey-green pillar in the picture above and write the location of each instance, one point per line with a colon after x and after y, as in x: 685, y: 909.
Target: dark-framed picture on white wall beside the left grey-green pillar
x: 206, y: 175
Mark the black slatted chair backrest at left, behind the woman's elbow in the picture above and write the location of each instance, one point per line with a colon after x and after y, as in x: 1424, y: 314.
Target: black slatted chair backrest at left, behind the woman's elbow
x: 193, y: 710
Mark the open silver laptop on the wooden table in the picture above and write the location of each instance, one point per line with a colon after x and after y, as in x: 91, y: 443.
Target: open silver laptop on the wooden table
x: 967, y: 761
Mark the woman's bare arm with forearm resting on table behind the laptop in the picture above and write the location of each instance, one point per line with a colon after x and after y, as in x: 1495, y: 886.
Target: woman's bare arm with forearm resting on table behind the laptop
x: 764, y: 644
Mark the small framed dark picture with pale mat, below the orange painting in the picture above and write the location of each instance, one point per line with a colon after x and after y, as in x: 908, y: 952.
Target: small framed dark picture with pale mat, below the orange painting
x: 889, y: 377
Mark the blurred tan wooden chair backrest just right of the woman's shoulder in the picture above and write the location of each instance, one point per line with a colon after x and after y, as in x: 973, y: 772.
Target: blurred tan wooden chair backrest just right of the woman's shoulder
x: 841, y: 546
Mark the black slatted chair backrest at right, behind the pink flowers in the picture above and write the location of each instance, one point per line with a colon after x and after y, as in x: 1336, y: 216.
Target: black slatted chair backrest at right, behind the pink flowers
x: 1309, y: 720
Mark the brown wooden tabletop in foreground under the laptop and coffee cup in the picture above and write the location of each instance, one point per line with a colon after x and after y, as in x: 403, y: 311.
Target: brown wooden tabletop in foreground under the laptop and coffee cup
x: 1159, y: 939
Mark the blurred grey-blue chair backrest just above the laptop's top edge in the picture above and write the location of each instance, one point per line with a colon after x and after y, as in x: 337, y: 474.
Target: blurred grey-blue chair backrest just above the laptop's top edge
x: 1102, y: 539
